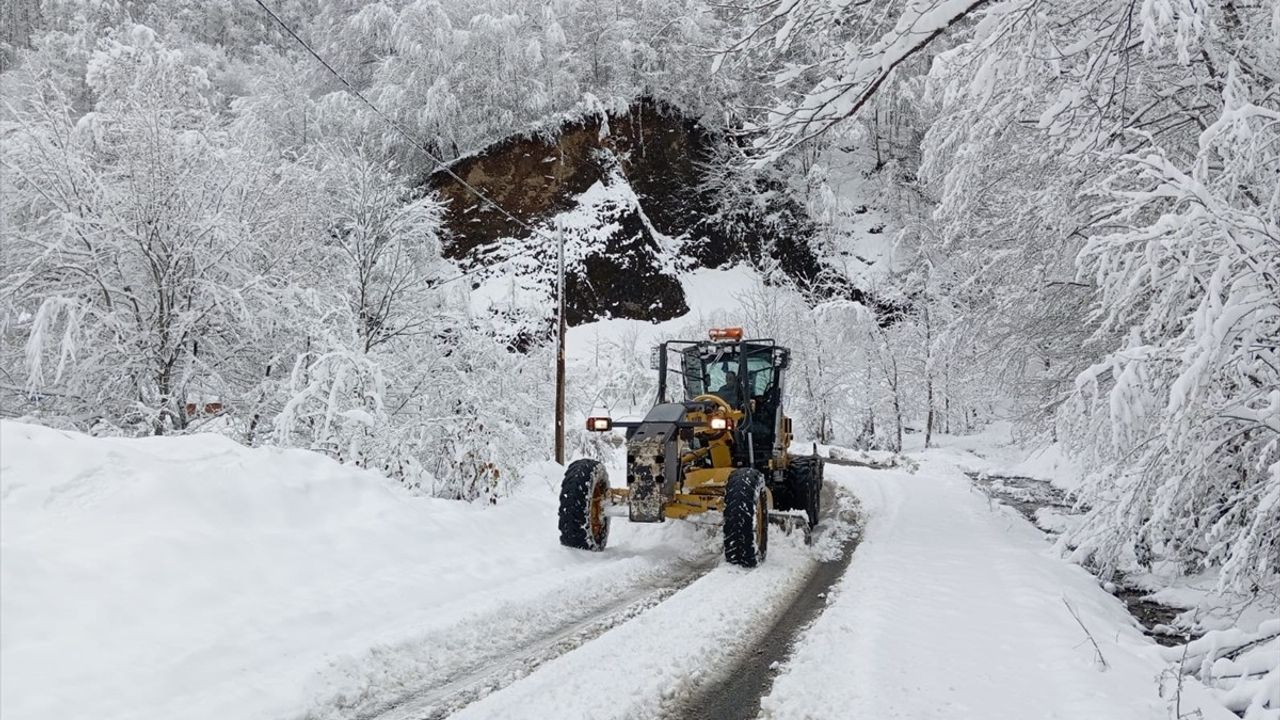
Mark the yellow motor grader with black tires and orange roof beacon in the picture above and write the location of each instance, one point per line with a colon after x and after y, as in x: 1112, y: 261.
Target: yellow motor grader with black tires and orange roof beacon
x: 717, y: 440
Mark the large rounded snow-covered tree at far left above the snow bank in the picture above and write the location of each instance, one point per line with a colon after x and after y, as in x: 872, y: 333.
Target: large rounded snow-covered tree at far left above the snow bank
x: 127, y: 235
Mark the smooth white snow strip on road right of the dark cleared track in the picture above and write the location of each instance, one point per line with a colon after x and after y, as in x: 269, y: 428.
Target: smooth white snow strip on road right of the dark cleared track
x: 956, y: 608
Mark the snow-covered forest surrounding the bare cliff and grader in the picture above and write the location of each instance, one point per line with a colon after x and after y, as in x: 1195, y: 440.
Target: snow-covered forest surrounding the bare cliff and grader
x: 208, y: 230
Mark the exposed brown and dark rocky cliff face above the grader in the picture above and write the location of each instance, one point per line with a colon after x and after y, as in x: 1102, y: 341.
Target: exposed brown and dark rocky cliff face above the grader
x: 625, y: 189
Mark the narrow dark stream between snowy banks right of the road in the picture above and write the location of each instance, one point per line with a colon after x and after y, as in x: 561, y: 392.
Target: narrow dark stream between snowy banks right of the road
x: 1030, y: 496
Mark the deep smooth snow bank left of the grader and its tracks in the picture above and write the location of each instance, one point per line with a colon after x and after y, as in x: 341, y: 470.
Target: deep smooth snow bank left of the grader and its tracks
x: 196, y: 578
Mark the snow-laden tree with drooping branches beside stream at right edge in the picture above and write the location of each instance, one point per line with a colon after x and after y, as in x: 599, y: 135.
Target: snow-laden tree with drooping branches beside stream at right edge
x: 1183, y: 416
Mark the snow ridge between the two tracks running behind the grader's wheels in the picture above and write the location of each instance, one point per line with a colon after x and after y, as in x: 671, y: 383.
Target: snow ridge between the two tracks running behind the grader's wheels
x: 665, y: 659
